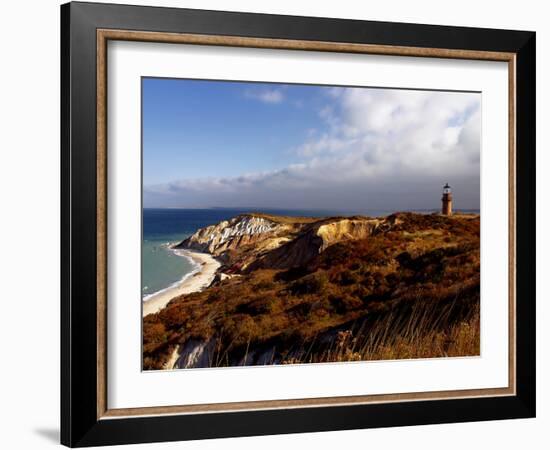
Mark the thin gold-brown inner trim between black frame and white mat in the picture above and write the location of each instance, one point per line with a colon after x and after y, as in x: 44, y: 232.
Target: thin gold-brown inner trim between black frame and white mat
x: 103, y: 36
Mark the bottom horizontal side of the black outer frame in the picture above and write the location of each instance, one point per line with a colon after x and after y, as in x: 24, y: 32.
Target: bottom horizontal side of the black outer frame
x: 301, y: 420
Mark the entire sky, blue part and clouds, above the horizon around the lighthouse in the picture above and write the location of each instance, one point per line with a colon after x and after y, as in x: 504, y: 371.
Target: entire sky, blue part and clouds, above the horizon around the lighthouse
x: 261, y: 145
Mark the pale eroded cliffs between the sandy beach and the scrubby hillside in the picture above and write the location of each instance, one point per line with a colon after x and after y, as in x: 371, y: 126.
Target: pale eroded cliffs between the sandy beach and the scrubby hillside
x: 248, y: 242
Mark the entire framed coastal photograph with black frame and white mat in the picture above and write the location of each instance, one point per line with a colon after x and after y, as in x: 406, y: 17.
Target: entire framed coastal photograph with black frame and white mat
x: 276, y: 224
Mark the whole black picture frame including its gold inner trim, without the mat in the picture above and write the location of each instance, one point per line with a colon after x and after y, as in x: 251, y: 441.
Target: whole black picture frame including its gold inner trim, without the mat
x: 86, y: 418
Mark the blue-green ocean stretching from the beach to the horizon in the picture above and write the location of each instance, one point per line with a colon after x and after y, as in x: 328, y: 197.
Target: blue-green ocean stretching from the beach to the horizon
x: 161, y: 267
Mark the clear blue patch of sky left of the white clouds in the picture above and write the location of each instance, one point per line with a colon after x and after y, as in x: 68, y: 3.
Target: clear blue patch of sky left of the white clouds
x: 224, y: 129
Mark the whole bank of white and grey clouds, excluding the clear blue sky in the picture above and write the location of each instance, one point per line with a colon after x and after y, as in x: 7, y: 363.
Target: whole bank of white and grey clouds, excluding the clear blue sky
x: 377, y: 149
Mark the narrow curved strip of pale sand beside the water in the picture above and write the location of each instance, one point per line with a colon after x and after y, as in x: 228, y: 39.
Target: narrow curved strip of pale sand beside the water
x: 194, y: 283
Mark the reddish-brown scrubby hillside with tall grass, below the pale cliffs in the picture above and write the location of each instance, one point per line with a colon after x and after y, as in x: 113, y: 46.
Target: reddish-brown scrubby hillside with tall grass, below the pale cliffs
x: 407, y: 291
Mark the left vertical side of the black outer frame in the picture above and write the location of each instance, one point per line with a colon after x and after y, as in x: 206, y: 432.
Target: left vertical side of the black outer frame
x: 78, y: 226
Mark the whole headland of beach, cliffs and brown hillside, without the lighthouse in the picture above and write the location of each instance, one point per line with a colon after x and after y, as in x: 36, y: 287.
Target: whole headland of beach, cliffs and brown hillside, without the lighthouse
x: 289, y: 290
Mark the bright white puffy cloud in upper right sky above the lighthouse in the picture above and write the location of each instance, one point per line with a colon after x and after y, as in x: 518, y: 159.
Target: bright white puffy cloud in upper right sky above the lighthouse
x: 397, y: 132
